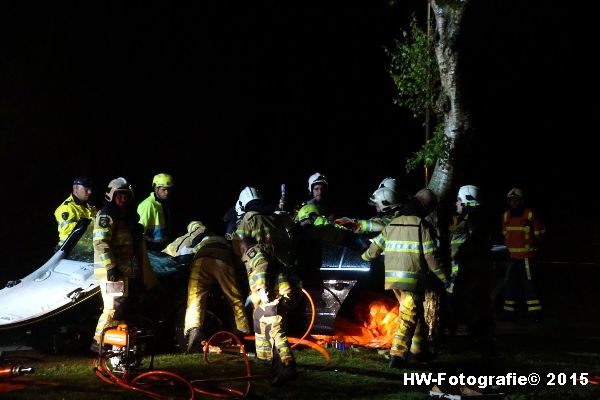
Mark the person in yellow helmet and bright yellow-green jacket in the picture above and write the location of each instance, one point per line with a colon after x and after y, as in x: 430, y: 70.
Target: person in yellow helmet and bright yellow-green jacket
x: 155, y: 213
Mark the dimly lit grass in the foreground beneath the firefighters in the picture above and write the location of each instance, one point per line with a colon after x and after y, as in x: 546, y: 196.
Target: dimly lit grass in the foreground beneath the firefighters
x: 352, y: 374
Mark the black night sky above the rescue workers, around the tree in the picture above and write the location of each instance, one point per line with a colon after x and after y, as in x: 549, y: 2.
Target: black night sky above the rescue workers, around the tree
x: 270, y: 92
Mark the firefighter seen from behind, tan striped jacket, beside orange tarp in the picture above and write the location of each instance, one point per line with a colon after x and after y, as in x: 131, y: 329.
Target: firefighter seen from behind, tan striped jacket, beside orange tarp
x: 409, y: 253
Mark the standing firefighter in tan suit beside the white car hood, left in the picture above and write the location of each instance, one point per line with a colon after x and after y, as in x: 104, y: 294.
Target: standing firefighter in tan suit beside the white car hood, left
x: 121, y: 263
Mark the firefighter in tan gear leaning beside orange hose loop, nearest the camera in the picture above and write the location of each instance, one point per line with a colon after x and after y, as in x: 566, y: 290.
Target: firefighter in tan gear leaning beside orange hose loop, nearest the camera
x: 274, y: 291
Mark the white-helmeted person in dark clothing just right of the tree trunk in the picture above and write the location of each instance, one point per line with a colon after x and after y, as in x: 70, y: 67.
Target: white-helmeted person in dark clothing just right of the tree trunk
x: 471, y: 273
